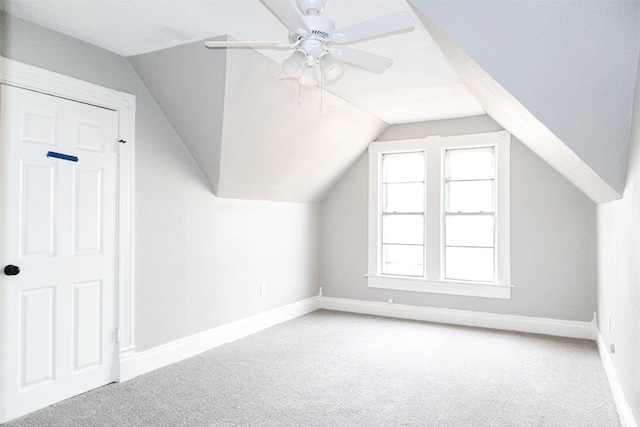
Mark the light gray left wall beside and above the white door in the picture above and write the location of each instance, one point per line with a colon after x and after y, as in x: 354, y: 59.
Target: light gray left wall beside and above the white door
x: 200, y: 259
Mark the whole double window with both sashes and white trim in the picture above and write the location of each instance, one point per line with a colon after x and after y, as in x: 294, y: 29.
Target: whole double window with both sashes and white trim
x: 439, y: 215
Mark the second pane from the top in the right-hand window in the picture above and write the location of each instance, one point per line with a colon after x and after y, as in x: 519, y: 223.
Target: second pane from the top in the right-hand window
x: 469, y: 196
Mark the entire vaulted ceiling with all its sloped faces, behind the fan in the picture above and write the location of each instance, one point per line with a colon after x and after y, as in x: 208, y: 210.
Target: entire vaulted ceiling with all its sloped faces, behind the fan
x: 558, y: 75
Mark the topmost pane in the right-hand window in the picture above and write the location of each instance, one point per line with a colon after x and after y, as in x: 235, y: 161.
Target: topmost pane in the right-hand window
x: 470, y: 163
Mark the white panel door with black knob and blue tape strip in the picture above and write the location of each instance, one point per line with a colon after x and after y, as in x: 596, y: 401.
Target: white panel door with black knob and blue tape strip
x: 58, y: 162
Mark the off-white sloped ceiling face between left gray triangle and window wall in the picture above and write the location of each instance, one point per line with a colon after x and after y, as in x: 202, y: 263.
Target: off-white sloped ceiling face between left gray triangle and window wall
x: 283, y: 142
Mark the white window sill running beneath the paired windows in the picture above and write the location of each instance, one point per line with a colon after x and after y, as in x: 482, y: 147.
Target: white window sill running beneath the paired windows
x: 449, y: 287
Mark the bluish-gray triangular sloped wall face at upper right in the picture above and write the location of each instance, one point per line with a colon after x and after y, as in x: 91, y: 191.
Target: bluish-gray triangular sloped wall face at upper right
x: 572, y: 64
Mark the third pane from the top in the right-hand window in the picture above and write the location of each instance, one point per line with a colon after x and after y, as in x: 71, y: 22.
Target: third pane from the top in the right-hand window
x: 469, y: 230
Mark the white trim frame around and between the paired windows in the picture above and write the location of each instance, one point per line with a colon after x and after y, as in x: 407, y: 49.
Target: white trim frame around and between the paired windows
x: 433, y: 281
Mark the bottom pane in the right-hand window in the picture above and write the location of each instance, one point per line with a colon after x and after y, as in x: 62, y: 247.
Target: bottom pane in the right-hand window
x: 469, y: 264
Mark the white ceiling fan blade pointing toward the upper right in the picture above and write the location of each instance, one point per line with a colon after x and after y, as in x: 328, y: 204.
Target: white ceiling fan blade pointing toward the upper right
x: 377, y: 27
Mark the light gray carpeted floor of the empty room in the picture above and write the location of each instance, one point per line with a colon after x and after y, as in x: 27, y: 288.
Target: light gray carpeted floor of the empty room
x: 337, y: 369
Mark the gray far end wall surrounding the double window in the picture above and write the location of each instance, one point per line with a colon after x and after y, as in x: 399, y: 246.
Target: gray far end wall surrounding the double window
x: 553, y: 238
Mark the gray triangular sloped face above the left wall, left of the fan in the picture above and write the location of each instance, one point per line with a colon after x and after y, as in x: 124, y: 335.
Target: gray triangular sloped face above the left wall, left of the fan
x: 188, y: 84
